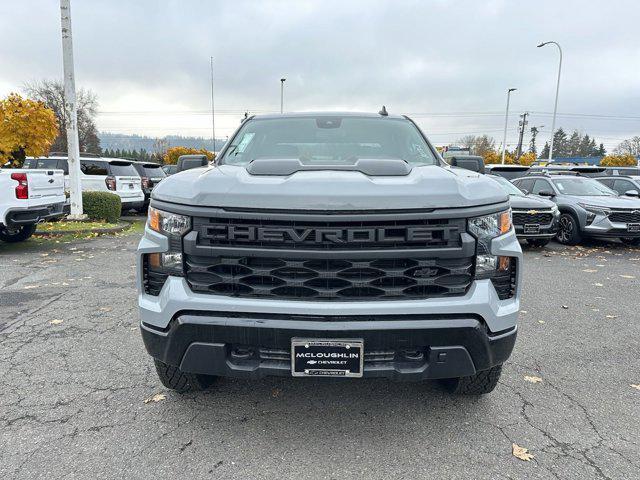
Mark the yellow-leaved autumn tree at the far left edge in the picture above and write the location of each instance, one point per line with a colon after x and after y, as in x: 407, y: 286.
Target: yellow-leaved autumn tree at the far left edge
x: 27, y: 127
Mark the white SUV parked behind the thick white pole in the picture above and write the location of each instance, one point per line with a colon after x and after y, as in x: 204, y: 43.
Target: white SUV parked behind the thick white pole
x: 100, y: 174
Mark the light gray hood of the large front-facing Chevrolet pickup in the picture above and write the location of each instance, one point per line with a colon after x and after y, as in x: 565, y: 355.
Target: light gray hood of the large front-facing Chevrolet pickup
x: 424, y: 187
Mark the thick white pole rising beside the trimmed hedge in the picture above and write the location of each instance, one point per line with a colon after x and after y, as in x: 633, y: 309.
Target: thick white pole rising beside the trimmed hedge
x: 71, y: 114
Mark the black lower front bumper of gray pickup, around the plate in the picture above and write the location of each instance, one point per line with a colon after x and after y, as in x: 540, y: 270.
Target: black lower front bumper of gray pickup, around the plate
x: 409, y: 348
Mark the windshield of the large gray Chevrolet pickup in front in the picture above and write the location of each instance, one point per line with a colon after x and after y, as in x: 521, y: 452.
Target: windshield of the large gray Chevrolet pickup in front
x: 329, y: 140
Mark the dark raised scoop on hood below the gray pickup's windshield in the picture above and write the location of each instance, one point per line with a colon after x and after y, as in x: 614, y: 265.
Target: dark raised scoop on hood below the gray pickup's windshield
x: 375, y: 167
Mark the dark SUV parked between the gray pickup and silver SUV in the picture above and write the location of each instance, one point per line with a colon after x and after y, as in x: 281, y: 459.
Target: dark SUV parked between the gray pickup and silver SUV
x: 534, y: 218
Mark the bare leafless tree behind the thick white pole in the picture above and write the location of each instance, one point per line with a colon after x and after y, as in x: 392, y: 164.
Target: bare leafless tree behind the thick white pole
x: 51, y: 93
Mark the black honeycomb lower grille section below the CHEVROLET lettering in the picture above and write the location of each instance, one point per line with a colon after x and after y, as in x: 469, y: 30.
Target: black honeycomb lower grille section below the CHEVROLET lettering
x: 329, y: 279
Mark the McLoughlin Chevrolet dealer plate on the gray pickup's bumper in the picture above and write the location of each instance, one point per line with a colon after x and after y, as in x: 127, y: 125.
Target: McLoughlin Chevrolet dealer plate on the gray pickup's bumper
x: 325, y: 358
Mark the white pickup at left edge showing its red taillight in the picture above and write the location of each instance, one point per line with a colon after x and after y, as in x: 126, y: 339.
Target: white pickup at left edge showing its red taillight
x: 28, y: 197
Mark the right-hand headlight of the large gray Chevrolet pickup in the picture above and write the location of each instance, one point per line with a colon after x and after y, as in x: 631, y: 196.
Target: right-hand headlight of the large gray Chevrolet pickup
x: 485, y: 229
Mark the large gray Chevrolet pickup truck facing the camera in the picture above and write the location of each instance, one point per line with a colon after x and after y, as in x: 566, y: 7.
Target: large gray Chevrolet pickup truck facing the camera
x: 329, y: 244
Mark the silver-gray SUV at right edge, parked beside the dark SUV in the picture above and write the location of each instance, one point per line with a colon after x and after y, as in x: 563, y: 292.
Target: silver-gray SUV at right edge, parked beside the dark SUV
x: 587, y: 208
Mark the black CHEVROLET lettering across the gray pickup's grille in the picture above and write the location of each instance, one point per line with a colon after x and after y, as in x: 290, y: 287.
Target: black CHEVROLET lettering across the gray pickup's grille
x: 240, y: 233
